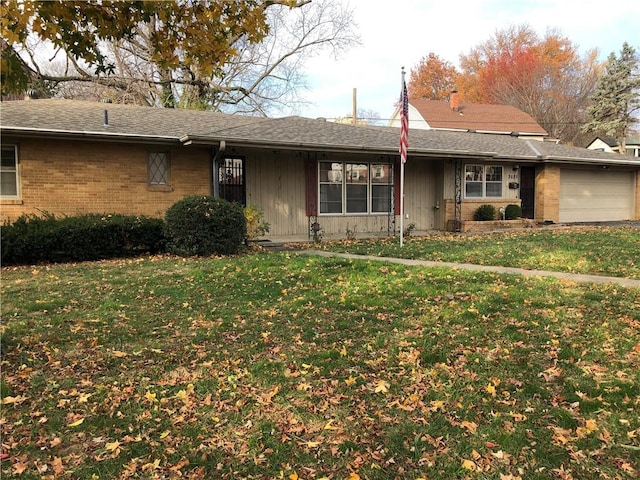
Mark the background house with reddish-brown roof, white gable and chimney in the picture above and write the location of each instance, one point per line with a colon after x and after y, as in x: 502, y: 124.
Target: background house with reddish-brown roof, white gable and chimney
x: 470, y: 117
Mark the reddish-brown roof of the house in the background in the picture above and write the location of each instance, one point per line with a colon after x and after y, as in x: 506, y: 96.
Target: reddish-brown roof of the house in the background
x: 479, y: 117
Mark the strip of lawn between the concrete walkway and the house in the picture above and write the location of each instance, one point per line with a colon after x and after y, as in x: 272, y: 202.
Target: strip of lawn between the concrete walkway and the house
x: 612, y: 251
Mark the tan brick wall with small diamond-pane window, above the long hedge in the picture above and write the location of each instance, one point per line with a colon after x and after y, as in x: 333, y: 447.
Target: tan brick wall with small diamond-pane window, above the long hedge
x: 67, y: 178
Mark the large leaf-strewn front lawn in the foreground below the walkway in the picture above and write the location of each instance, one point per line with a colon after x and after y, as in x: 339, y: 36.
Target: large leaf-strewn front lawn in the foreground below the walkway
x: 277, y: 365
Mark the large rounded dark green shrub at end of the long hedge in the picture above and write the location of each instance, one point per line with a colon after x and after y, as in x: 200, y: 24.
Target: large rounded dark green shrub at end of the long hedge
x: 204, y: 225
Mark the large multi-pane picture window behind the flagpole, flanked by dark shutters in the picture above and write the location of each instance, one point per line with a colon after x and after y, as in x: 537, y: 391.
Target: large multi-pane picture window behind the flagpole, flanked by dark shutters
x: 354, y: 188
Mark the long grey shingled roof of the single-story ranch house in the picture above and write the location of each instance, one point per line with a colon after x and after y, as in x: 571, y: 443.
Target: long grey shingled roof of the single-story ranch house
x: 71, y: 119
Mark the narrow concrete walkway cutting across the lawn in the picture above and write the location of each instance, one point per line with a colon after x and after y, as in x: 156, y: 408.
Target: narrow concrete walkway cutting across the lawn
x: 574, y: 277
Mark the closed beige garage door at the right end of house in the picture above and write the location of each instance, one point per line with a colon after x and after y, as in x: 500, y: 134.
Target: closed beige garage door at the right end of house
x: 595, y: 195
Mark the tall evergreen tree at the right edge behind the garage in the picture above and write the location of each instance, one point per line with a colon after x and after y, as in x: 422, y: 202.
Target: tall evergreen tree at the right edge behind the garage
x: 616, y: 98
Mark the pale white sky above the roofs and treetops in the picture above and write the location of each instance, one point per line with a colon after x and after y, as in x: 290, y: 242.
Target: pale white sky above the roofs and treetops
x: 398, y: 33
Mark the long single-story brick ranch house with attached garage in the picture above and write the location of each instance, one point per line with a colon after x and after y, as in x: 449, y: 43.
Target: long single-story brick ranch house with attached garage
x: 70, y: 157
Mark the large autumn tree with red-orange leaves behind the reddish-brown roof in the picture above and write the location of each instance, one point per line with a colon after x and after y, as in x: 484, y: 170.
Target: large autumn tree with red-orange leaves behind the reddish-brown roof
x: 545, y: 77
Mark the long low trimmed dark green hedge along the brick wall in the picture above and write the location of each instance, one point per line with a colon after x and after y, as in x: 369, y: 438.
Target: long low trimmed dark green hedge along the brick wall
x: 33, y: 239
